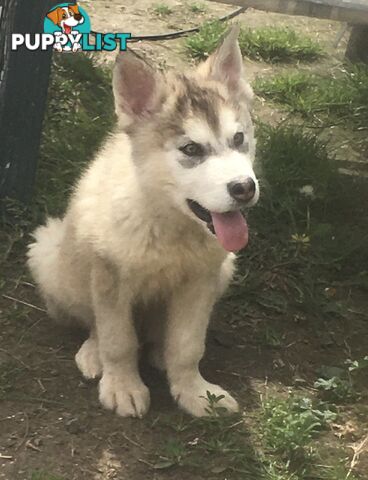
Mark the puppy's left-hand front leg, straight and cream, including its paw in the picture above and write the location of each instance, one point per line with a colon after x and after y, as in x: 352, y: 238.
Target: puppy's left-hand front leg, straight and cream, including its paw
x: 121, y: 387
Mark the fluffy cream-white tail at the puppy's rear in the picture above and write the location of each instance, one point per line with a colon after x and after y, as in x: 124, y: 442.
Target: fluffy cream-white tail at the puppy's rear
x: 43, y: 261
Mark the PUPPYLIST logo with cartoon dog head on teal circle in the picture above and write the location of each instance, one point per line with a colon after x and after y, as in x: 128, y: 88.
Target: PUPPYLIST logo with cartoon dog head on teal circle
x: 67, y: 27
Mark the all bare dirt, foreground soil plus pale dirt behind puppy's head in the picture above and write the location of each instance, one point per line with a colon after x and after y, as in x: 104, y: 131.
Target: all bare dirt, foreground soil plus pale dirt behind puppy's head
x: 50, y: 418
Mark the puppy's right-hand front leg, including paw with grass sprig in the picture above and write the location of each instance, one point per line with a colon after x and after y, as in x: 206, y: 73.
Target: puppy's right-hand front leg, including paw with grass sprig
x: 189, y: 311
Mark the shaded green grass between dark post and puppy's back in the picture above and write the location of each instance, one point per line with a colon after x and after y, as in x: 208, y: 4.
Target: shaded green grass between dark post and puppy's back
x: 79, y: 114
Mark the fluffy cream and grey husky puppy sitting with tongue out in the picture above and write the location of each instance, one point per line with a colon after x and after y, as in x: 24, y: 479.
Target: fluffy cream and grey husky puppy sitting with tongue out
x: 146, y: 245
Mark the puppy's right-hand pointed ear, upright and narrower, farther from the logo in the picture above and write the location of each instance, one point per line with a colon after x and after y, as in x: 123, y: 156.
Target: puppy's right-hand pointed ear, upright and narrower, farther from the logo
x: 226, y: 65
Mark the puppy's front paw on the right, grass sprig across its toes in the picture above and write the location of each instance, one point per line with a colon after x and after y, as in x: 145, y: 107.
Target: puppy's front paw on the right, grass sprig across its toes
x: 193, y: 398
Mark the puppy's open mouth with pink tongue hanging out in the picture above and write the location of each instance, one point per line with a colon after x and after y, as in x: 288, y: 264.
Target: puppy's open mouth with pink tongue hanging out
x: 230, y: 228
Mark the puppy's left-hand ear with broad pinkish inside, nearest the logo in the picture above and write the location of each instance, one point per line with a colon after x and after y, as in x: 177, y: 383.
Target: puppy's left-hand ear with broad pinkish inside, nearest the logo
x: 137, y: 88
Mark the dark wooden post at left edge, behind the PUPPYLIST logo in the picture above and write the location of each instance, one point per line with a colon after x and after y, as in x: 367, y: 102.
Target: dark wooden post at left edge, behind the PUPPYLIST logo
x: 24, y: 77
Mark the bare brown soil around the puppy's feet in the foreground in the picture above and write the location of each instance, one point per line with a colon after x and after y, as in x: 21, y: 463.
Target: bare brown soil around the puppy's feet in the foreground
x: 51, y: 420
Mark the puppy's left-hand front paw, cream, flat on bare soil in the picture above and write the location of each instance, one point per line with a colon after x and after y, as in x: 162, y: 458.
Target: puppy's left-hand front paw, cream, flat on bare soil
x: 129, y: 398
